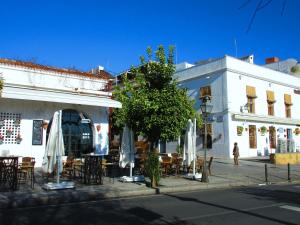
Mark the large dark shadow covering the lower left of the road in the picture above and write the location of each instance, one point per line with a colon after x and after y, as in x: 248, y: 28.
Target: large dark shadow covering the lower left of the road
x: 90, y: 212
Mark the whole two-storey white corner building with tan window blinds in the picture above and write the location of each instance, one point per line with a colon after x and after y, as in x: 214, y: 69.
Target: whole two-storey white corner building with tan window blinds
x: 257, y: 107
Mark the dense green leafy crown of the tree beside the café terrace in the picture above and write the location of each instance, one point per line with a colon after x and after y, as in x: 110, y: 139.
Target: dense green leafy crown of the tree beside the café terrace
x: 152, y: 103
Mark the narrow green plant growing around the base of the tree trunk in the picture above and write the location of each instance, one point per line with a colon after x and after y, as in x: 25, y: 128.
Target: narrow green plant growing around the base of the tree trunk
x: 153, y: 168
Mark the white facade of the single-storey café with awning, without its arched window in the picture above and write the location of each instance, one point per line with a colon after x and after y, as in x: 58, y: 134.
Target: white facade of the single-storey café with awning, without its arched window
x: 31, y: 94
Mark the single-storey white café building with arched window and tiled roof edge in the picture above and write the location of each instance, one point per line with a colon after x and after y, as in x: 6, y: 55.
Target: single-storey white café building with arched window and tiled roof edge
x: 32, y: 93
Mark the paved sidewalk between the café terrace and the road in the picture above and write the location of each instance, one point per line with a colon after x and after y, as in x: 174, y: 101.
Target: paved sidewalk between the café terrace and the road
x: 224, y: 175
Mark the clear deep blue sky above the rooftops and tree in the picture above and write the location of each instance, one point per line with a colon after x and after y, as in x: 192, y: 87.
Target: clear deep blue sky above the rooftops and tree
x: 114, y: 33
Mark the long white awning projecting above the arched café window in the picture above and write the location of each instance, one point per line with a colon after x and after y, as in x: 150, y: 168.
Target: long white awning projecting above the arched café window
x: 45, y: 95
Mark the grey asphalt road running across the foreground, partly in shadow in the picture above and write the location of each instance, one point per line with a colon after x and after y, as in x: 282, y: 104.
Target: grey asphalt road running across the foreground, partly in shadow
x: 254, y: 205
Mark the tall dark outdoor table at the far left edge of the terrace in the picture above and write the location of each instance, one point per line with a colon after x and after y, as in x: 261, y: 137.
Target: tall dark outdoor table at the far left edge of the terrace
x: 9, y: 172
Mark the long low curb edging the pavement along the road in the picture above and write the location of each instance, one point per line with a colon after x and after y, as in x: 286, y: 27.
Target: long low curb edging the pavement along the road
x: 21, y: 200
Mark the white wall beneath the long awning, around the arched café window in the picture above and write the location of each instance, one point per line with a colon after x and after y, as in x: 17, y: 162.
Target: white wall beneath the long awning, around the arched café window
x: 33, y: 110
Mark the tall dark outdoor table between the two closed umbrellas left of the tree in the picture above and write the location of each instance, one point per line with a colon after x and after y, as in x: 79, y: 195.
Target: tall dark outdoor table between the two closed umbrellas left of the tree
x: 92, y: 169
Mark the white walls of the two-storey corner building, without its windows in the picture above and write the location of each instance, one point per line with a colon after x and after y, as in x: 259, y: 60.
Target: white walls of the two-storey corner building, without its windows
x: 228, y: 78
